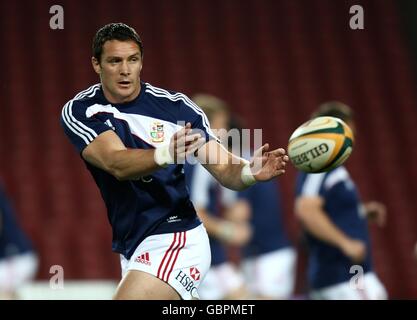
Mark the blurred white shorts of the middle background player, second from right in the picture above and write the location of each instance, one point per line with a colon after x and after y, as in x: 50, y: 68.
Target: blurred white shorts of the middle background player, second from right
x: 272, y: 274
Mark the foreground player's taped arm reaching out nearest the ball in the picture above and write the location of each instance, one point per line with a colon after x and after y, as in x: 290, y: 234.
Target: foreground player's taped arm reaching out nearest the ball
x: 236, y: 173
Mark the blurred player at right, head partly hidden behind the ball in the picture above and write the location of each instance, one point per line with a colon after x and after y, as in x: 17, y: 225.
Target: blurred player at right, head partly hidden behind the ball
x: 335, y: 221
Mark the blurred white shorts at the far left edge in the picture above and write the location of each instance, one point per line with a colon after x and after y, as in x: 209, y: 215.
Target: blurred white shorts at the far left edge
x: 16, y: 270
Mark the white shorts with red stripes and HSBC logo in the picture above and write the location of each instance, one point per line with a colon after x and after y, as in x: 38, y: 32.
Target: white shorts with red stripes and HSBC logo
x: 180, y: 259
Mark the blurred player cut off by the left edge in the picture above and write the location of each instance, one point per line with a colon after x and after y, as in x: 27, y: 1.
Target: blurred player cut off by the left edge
x: 18, y: 260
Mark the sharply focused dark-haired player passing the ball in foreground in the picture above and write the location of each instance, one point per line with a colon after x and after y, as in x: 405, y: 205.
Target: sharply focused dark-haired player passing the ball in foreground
x: 134, y: 139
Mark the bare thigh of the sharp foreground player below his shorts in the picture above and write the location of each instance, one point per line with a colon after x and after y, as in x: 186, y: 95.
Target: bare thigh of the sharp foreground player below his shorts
x: 139, y: 285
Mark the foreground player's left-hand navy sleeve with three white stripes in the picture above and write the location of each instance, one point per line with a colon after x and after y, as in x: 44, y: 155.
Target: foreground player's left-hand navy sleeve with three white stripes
x: 80, y: 129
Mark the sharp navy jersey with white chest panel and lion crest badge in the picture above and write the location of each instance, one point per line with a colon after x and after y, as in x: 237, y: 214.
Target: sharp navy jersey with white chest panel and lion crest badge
x: 155, y: 204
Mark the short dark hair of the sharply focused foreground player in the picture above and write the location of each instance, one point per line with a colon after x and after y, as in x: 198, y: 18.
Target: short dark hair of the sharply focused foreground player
x: 114, y: 31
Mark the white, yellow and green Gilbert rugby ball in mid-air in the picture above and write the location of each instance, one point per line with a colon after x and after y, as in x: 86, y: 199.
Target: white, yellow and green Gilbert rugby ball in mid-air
x: 320, y: 144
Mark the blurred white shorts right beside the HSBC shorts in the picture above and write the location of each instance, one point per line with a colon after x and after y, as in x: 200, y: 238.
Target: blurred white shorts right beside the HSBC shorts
x: 221, y: 281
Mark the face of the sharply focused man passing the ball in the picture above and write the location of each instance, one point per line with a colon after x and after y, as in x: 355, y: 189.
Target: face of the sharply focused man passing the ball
x: 119, y: 70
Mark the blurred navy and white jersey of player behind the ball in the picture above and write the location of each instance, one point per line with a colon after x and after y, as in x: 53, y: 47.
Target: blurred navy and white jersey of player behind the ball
x: 327, y: 264
